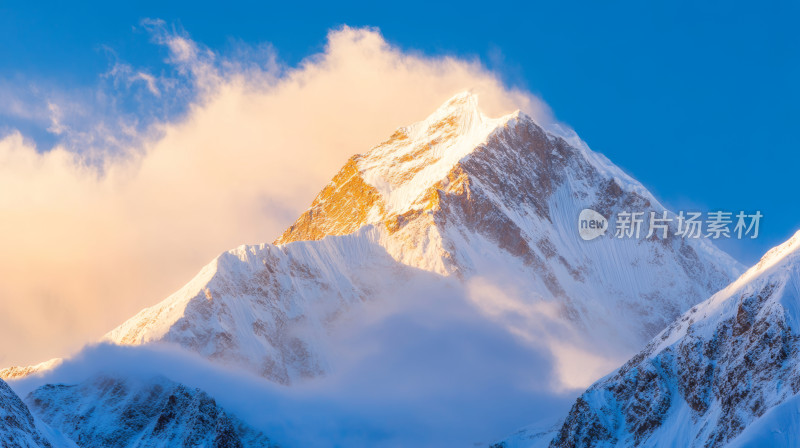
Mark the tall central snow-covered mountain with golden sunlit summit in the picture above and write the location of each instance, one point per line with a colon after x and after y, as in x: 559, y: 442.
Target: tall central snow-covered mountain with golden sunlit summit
x: 458, y: 196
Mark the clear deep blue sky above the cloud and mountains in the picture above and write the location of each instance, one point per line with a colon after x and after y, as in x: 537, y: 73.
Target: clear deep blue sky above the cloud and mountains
x: 698, y: 102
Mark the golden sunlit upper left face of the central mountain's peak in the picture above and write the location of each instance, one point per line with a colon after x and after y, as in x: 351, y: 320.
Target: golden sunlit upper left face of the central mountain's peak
x: 398, y: 175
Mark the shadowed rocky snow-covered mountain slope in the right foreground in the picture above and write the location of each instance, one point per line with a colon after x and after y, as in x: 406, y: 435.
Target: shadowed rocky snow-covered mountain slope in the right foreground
x: 727, y: 372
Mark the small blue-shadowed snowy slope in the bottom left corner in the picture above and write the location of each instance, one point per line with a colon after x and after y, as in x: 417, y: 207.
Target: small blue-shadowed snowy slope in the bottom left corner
x: 17, y: 426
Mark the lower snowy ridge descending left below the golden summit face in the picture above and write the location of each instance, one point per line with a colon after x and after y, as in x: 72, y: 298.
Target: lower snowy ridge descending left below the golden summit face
x: 268, y: 308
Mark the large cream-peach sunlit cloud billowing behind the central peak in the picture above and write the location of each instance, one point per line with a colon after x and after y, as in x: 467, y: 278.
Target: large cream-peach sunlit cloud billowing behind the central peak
x: 117, y: 216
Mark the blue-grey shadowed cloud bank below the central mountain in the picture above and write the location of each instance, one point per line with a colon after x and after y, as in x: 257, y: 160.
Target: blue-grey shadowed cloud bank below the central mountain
x: 421, y: 367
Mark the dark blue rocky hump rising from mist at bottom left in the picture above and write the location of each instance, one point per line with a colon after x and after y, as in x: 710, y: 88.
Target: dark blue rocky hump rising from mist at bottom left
x: 114, y: 413
